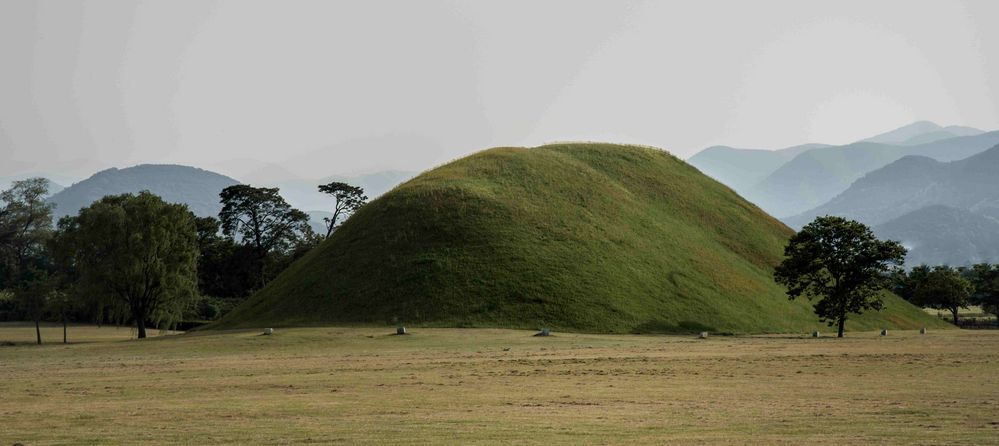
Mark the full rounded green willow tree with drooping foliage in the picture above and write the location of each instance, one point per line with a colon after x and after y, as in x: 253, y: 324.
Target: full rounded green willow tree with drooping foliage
x: 136, y: 255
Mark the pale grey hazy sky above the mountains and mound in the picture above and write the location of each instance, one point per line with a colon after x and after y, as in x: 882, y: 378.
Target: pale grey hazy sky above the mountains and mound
x: 317, y: 88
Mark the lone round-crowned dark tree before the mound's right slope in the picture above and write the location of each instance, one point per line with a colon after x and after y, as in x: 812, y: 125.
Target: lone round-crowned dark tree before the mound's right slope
x: 842, y: 264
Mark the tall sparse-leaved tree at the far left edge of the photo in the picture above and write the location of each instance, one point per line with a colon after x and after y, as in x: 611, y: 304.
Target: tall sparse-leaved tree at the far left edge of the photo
x: 25, y: 227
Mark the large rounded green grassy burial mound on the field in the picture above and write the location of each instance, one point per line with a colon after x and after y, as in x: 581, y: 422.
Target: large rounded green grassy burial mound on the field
x: 586, y: 237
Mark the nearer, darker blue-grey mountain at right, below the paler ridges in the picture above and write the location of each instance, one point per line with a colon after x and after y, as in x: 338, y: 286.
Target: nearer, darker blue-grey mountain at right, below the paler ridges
x: 944, y: 212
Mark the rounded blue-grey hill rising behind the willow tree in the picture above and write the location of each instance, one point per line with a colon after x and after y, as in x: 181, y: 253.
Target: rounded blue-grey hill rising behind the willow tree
x: 197, y: 188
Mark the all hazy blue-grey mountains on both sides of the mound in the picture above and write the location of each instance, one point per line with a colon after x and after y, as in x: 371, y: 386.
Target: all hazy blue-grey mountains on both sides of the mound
x: 934, y: 188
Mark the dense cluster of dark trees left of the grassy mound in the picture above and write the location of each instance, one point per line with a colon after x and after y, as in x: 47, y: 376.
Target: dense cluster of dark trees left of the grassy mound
x: 136, y: 259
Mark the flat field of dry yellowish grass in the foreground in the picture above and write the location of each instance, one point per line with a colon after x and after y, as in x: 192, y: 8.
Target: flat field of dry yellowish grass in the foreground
x: 362, y: 386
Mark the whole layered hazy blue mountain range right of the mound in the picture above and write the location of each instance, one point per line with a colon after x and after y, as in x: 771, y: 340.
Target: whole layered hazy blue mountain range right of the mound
x: 934, y: 188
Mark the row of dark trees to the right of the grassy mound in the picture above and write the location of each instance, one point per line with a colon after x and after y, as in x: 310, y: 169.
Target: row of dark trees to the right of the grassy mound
x: 841, y: 265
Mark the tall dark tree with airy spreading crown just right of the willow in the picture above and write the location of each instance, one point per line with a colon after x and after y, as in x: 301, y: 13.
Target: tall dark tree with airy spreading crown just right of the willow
x: 261, y: 219
